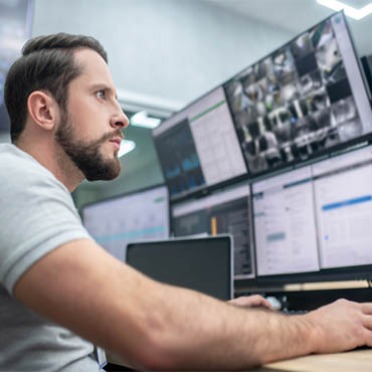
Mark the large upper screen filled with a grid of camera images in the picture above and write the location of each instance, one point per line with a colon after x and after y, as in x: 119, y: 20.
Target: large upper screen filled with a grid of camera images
x: 303, y: 100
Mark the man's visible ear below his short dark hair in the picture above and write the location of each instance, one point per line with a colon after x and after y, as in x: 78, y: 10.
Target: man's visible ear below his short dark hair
x: 43, y: 109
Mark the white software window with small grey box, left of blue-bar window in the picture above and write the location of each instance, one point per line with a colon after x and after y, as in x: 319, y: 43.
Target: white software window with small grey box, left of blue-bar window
x: 284, y: 218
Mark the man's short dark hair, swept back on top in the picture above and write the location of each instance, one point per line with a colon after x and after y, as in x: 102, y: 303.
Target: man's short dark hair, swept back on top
x: 47, y: 62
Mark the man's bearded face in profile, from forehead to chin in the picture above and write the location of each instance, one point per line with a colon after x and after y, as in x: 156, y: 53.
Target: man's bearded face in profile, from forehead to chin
x: 90, y: 130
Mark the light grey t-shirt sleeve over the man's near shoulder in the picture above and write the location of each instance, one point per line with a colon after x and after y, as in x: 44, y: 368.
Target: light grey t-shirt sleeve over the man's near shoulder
x: 37, y: 216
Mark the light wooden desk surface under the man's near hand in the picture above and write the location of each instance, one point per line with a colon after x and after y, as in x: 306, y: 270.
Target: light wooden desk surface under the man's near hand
x: 356, y: 360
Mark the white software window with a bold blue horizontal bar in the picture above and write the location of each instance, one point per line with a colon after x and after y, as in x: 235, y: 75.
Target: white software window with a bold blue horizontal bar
x: 343, y: 195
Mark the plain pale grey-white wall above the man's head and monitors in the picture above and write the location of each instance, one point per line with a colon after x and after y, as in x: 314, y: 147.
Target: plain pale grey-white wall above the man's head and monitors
x: 175, y: 50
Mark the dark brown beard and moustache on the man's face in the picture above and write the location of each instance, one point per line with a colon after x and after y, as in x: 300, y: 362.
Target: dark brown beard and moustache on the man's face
x: 86, y: 155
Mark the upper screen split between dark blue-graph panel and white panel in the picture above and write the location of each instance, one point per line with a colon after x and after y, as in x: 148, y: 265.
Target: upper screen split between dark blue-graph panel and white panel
x: 198, y: 146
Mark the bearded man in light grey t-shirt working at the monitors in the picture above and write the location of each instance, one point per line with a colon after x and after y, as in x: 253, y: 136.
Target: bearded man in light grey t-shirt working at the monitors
x: 59, y: 288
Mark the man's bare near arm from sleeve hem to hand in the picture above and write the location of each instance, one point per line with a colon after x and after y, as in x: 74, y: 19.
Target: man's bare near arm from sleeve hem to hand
x: 157, y: 326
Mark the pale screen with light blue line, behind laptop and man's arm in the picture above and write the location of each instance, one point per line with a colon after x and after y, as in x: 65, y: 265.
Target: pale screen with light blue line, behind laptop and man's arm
x: 140, y: 215
